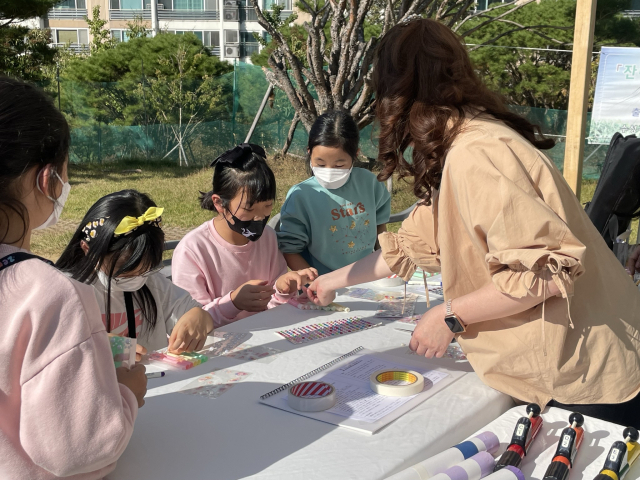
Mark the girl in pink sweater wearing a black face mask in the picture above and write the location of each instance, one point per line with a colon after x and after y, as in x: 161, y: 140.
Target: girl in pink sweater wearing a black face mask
x: 231, y: 264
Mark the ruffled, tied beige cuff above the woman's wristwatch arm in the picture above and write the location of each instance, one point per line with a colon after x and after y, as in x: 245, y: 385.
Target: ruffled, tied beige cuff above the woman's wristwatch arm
x: 519, y: 273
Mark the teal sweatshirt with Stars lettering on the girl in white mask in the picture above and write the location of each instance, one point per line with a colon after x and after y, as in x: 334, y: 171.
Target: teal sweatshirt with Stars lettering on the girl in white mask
x: 334, y: 228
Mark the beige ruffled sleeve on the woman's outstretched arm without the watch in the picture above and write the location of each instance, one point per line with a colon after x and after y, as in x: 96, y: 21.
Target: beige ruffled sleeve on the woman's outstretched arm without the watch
x: 413, y: 246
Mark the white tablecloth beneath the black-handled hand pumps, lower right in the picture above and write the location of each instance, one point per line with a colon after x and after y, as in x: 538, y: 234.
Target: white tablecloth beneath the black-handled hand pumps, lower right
x: 598, y: 437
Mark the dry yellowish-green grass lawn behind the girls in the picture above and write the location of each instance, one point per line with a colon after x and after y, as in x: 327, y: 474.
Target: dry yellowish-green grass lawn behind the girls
x: 176, y: 189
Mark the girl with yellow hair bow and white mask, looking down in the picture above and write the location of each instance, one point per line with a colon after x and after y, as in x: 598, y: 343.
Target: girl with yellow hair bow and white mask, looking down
x: 118, y: 249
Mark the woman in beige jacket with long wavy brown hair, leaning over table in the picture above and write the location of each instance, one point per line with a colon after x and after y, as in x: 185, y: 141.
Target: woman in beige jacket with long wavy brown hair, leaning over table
x: 510, y: 237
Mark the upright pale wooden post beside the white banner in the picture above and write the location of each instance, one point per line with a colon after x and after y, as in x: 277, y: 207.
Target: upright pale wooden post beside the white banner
x: 579, y: 92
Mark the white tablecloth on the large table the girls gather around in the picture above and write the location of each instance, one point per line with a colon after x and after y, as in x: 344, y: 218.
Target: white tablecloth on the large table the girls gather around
x: 235, y: 436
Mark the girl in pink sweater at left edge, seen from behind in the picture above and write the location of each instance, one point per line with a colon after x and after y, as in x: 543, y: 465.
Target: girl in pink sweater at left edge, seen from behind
x: 64, y: 409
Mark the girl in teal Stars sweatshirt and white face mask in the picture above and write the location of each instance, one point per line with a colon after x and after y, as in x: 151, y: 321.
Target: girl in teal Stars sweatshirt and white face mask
x: 334, y: 218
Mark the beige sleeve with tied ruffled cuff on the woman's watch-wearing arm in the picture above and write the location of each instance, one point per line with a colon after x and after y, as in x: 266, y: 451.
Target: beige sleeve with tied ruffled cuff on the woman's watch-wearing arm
x: 526, y: 241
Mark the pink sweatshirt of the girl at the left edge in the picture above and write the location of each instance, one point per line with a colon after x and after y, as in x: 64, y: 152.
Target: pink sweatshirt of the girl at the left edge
x: 62, y: 411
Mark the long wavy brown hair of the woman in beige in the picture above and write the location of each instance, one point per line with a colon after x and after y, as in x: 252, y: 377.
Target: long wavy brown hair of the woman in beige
x: 425, y: 84
